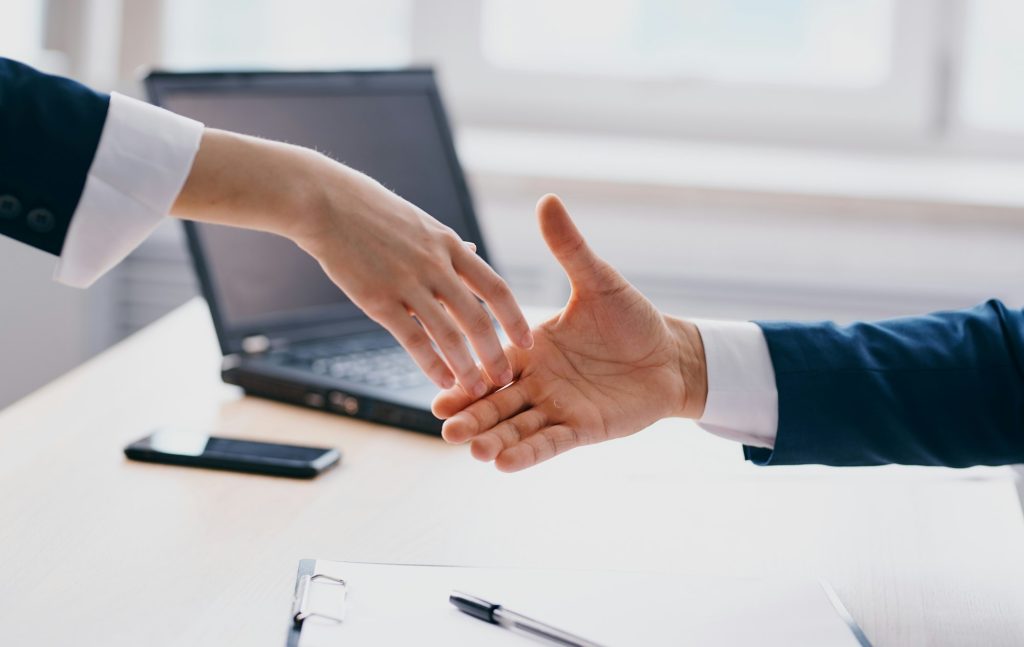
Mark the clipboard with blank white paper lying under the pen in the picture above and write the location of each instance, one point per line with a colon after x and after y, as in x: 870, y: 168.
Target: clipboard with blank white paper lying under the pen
x: 346, y: 603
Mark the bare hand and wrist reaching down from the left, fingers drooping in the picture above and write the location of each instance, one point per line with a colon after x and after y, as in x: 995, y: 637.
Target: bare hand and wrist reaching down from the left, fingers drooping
x: 390, y: 257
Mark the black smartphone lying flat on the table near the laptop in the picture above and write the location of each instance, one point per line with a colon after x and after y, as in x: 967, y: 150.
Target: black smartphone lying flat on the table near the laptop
x: 195, y: 450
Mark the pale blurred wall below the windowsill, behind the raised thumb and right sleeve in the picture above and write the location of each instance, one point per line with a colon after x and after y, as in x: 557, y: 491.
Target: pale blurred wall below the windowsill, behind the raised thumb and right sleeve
x: 766, y: 257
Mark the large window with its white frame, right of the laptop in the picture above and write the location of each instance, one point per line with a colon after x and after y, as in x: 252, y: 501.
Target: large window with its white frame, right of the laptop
x: 858, y: 72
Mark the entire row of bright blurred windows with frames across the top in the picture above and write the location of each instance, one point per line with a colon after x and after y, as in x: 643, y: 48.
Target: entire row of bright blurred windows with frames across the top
x: 850, y: 73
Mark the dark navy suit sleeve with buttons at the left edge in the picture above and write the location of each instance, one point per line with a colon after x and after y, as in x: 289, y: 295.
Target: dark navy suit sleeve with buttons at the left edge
x: 50, y: 131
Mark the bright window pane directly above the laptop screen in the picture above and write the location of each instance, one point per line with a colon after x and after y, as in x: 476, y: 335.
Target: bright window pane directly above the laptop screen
x: 307, y: 34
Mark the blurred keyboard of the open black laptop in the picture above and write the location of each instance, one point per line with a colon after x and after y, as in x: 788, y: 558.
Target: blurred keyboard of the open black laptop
x: 376, y: 363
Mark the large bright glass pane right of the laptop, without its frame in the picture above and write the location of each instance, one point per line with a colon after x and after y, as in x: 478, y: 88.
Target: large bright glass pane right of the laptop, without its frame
x: 843, y: 44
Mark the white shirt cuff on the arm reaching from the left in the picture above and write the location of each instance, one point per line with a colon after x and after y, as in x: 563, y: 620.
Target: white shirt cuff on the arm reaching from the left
x: 144, y: 158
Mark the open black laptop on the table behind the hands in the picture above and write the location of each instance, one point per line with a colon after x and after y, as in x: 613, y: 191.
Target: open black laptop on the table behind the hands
x: 286, y: 331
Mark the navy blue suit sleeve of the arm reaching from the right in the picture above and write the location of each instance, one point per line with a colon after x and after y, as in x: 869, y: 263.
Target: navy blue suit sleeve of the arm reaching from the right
x: 943, y: 390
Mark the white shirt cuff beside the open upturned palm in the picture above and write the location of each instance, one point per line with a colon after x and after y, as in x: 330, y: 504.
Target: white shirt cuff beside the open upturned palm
x: 743, y: 401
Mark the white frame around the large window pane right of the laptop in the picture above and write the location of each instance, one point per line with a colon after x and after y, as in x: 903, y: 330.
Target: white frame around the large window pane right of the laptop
x: 903, y: 110
